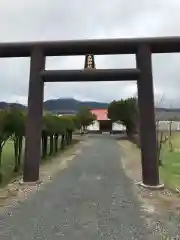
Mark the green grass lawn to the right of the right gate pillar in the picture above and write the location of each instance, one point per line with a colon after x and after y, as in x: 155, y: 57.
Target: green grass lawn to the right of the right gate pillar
x: 170, y: 171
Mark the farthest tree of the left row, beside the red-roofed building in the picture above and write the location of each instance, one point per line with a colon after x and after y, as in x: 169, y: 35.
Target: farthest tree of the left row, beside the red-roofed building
x: 85, y: 118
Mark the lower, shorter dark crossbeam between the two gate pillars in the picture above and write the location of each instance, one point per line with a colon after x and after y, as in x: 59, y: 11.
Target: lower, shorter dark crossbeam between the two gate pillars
x: 89, y: 75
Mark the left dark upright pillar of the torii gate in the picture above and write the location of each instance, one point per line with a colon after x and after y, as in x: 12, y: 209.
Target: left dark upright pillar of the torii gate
x: 34, y: 118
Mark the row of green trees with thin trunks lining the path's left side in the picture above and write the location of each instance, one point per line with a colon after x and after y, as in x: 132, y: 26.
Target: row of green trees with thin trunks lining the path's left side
x: 57, y: 132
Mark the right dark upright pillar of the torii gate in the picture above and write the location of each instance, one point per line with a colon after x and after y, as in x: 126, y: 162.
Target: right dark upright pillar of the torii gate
x: 150, y: 172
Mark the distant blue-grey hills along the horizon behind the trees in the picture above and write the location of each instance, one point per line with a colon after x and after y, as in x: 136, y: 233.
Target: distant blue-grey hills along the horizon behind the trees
x: 70, y: 105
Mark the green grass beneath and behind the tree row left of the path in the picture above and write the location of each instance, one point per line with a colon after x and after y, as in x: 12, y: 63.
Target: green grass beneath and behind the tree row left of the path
x: 8, y: 161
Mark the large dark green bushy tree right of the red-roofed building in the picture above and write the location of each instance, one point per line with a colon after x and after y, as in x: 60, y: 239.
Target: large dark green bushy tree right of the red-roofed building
x: 125, y: 111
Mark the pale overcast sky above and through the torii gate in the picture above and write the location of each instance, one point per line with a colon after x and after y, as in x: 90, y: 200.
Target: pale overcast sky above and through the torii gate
x: 32, y: 20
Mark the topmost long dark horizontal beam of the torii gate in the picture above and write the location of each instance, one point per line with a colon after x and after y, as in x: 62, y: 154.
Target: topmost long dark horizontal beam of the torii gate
x: 94, y: 46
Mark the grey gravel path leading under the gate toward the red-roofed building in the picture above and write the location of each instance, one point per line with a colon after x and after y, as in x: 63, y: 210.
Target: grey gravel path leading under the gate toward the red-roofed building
x: 92, y: 199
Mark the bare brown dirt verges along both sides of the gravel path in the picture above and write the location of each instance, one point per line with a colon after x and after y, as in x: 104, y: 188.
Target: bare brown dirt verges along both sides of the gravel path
x: 162, y: 207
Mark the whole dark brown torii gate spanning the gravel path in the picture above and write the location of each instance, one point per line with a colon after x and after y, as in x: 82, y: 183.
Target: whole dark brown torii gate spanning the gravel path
x: 141, y: 47
